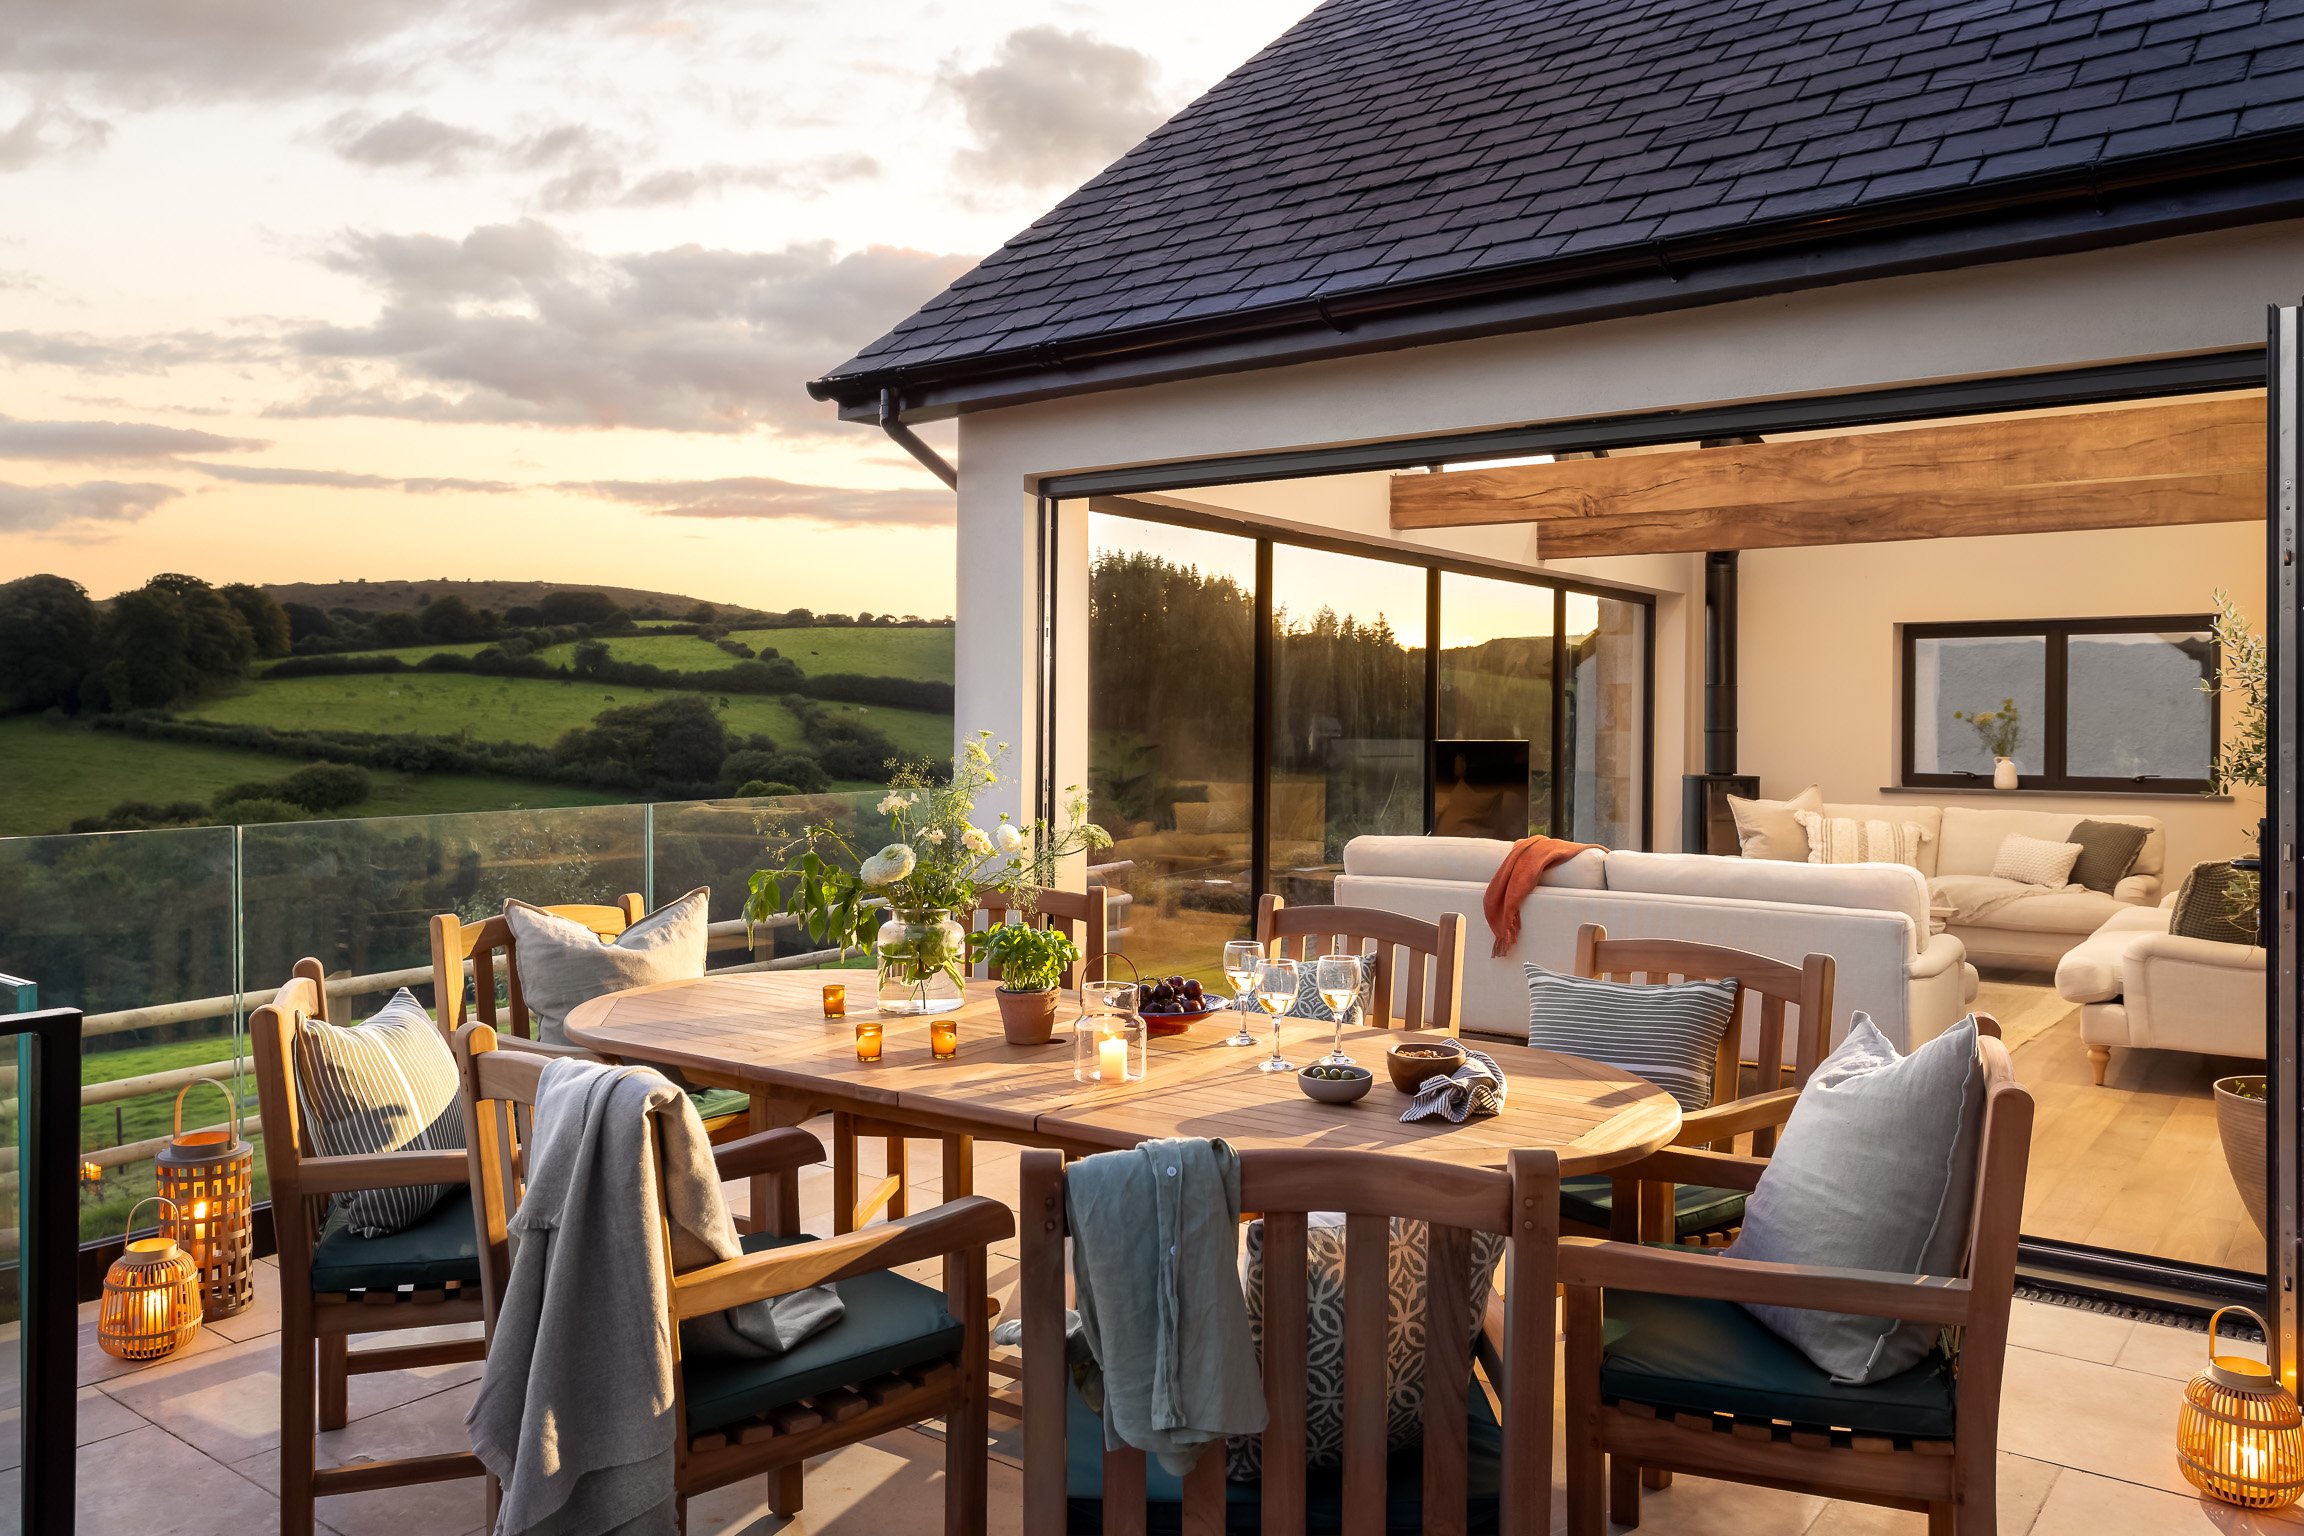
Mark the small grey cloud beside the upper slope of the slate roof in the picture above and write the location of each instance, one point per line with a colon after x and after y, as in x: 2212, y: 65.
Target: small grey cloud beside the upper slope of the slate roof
x: 1054, y: 107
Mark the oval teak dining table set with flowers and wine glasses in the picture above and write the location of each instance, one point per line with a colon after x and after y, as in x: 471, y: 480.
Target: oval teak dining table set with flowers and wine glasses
x: 766, y: 1033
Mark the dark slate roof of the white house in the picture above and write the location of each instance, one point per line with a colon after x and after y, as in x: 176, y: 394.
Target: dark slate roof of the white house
x: 1390, y: 144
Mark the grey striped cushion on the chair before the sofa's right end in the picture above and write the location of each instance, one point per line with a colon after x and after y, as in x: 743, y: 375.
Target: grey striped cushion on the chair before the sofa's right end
x: 1667, y: 1033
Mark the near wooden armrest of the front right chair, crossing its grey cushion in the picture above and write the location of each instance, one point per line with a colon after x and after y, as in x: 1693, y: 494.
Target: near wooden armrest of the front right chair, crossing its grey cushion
x: 1692, y: 1272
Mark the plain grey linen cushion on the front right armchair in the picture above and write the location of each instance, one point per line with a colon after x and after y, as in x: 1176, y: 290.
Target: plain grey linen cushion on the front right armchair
x: 1874, y: 1171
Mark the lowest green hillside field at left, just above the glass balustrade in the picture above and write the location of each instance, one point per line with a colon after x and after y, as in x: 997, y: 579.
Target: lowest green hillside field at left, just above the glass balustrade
x: 63, y: 773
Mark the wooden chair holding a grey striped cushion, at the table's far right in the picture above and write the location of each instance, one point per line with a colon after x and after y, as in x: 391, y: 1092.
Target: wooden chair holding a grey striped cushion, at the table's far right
x: 1630, y: 1206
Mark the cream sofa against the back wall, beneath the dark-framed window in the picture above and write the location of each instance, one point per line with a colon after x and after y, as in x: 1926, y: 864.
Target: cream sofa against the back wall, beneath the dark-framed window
x: 2024, y: 927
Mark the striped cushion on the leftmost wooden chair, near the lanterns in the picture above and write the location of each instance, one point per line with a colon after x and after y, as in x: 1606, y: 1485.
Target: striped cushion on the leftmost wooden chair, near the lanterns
x: 386, y: 1086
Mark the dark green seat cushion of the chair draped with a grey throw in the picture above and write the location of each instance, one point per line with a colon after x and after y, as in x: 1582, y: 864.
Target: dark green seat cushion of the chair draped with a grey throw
x: 893, y: 1323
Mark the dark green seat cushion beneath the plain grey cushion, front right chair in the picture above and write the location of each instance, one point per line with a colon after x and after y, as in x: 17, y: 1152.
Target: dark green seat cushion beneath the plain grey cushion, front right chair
x: 1713, y: 1358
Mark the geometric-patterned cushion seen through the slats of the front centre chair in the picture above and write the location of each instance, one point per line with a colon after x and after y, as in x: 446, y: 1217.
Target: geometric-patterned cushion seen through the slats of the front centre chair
x: 1324, y: 1321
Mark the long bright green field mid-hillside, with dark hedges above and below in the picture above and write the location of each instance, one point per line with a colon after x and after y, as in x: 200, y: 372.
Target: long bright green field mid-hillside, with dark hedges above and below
x: 448, y: 704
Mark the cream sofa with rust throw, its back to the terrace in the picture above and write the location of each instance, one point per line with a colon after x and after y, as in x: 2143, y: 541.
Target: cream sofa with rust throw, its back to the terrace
x: 1870, y: 918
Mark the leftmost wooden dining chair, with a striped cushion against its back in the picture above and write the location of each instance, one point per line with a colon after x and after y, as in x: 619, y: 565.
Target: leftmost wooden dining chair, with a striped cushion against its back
x: 335, y: 1284
